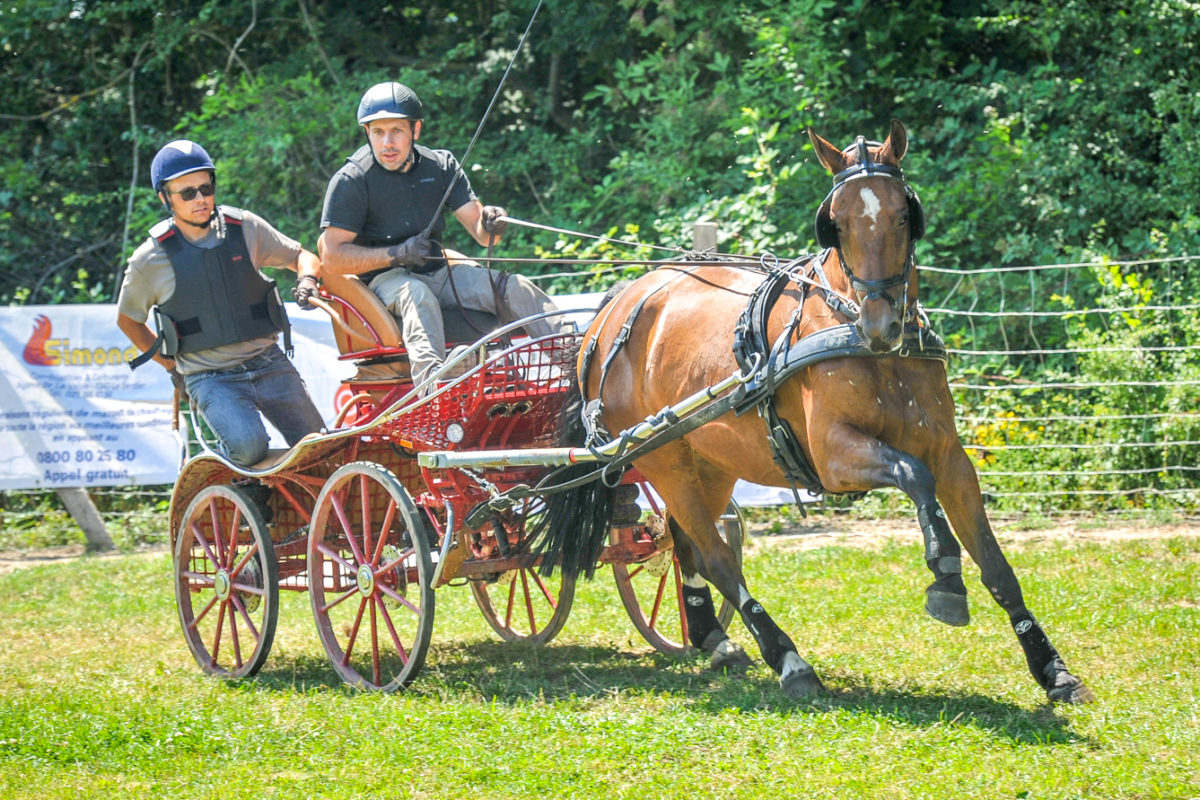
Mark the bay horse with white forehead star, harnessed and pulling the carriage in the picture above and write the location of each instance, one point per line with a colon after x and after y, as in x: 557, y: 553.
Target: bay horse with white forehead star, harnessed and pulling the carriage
x: 867, y: 417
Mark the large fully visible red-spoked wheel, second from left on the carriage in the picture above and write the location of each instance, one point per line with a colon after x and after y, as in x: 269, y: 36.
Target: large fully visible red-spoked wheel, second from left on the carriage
x: 370, y: 578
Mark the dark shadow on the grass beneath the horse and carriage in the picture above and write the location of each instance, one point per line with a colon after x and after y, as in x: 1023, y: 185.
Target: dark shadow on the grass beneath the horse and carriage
x: 520, y: 675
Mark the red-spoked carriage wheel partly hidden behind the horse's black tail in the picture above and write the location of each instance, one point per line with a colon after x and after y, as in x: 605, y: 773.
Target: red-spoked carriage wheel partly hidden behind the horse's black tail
x: 523, y: 605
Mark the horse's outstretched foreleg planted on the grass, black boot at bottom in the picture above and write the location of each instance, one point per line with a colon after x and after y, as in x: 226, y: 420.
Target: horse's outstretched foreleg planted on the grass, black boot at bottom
x: 965, y: 509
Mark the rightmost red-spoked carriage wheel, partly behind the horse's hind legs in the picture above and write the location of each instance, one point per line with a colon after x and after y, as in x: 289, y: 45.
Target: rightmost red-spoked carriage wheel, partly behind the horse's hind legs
x: 652, y: 591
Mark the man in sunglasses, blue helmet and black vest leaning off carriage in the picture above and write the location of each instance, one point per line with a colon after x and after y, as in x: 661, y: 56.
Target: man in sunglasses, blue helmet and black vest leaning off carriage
x: 219, y: 318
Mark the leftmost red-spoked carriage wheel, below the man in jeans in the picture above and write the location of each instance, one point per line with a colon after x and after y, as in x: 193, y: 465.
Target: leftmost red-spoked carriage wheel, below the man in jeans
x: 226, y: 584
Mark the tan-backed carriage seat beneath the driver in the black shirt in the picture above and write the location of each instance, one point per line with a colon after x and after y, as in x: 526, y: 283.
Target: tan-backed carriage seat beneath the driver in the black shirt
x: 371, y: 338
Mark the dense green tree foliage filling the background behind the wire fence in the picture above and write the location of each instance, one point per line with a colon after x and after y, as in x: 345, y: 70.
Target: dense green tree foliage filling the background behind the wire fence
x: 1040, y: 133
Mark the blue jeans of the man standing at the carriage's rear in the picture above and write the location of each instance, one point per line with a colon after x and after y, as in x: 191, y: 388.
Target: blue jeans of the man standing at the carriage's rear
x: 231, y: 400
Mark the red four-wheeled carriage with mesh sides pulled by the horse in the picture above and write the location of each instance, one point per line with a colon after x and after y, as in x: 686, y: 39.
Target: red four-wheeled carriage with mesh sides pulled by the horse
x: 352, y: 519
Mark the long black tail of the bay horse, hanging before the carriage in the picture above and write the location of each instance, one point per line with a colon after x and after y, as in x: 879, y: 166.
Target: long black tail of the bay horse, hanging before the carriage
x: 574, y: 530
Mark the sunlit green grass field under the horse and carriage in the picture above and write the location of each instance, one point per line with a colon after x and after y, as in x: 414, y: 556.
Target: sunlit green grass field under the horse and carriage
x: 100, y: 697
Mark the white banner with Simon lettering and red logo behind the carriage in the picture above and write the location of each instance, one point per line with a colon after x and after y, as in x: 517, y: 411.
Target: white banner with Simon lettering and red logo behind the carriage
x: 73, y: 413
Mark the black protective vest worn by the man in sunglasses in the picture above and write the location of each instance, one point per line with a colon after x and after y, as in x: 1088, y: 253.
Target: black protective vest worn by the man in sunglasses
x: 220, y: 298
